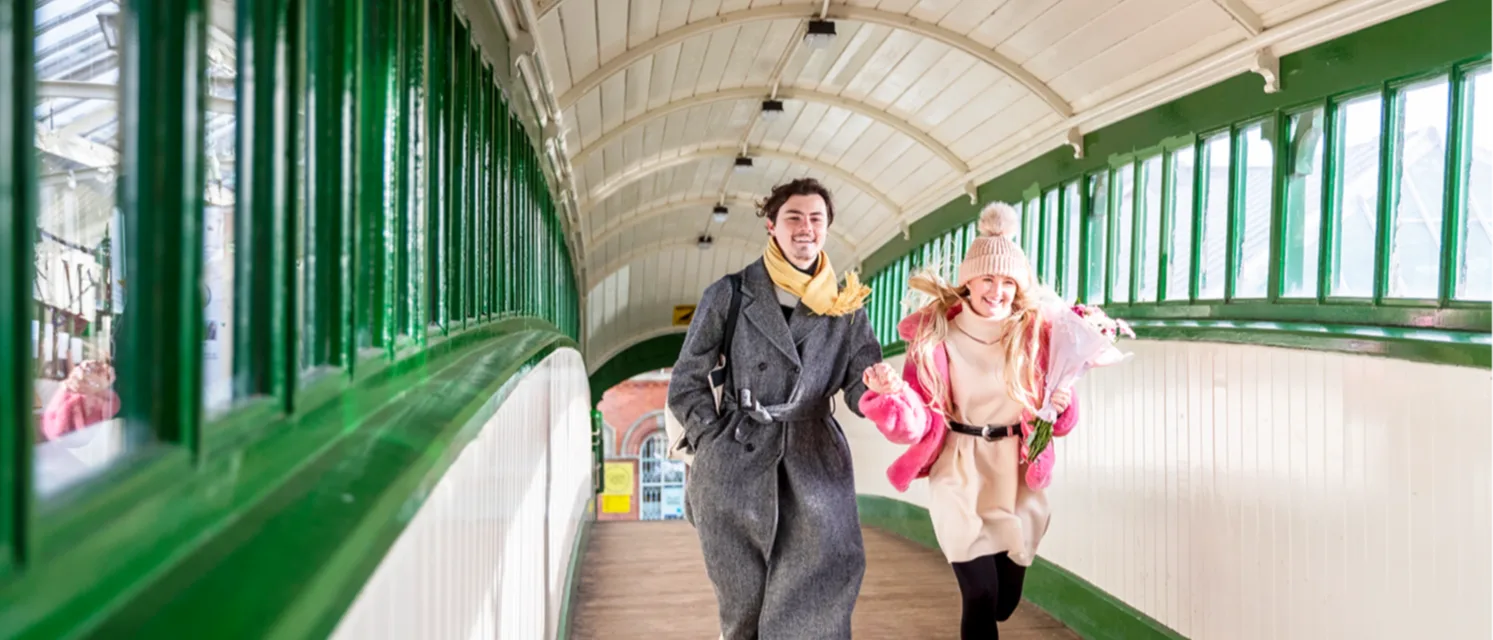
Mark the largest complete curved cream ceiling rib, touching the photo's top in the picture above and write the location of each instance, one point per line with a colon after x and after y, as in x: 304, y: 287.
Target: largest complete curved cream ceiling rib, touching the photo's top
x: 811, y: 11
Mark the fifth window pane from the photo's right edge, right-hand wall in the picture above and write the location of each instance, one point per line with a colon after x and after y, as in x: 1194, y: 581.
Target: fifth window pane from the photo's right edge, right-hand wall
x: 1255, y: 219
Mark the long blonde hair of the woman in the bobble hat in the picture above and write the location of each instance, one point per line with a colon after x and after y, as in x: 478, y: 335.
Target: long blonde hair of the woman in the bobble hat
x: 1020, y: 344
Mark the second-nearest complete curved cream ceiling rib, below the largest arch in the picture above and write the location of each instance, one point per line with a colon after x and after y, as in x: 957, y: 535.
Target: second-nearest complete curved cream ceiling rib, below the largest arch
x: 880, y: 116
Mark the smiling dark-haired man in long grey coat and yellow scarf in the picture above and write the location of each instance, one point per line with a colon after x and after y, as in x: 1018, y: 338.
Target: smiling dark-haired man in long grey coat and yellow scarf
x: 773, y: 493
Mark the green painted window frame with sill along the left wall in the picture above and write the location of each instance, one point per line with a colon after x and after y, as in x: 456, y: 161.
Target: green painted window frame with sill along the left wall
x: 340, y: 84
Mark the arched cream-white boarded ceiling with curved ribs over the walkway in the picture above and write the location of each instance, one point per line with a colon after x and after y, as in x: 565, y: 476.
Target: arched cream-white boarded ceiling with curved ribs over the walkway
x: 907, y: 108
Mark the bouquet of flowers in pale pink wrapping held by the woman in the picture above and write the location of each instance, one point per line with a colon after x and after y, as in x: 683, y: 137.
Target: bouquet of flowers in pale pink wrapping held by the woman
x: 1083, y: 338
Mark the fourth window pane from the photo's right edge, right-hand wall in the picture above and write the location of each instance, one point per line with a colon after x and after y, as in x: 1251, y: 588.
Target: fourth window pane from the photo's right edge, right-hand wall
x: 1301, y: 245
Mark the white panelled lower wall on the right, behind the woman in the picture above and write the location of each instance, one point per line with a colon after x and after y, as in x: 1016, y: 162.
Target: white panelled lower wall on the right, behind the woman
x: 1253, y: 493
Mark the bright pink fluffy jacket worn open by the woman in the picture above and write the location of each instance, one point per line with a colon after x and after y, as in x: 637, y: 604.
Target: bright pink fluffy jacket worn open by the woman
x: 907, y: 420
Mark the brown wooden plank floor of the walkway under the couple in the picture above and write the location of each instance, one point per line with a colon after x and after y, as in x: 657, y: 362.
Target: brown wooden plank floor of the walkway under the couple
x: 647, y: 581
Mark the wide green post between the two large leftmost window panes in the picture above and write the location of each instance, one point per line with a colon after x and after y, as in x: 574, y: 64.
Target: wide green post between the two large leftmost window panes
x: 162, y: 77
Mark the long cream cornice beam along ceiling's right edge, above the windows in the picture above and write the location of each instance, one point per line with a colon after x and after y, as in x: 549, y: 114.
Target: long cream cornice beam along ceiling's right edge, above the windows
x: 1307, y: 31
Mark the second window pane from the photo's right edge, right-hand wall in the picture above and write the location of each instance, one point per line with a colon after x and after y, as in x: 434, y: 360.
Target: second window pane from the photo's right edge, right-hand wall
x: 1421, y: 184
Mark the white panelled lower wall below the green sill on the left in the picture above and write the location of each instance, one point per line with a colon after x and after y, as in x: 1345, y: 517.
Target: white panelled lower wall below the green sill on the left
x: 487, y: 554
